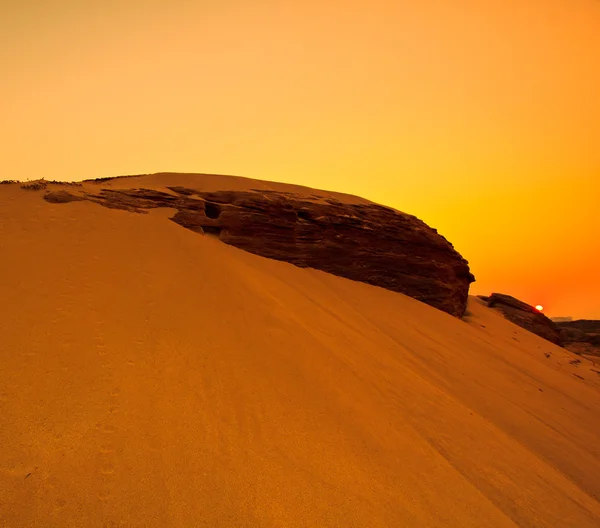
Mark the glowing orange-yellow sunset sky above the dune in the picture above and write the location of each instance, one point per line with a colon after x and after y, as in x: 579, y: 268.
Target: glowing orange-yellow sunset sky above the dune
x: 481, y: 117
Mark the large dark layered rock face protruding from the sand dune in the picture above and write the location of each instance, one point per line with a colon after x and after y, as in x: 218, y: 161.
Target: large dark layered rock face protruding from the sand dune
x: 364, y: 242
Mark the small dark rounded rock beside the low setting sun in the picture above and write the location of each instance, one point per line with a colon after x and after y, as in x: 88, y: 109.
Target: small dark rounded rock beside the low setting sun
x: 525, y: 316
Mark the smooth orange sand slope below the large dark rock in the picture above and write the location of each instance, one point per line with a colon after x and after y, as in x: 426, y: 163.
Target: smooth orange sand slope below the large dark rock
x: 151, y: 376
